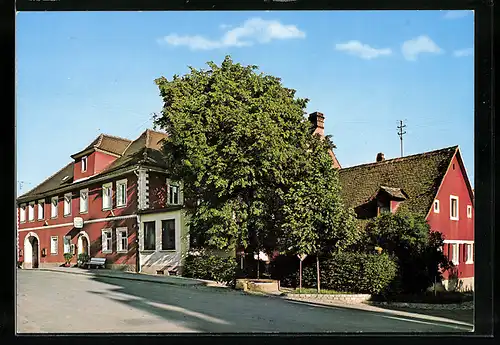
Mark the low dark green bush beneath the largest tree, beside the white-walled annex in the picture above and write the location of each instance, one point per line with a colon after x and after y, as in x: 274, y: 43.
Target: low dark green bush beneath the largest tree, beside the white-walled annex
x: 210, y: 267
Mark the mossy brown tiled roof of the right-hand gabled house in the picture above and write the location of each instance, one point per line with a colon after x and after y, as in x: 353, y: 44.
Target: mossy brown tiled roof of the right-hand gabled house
x: 419, y: 176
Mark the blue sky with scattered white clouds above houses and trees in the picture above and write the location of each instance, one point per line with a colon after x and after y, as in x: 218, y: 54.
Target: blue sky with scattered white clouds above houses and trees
x: 83, y: 73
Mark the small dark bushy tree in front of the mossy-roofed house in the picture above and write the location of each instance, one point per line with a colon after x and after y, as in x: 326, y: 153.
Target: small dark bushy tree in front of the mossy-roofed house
x: 408, y: 237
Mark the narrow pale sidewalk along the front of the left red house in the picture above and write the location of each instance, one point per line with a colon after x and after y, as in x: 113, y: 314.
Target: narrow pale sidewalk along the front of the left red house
x: 171, y: 280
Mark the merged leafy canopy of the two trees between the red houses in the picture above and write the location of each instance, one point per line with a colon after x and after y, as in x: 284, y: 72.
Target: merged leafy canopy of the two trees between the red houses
x: 255, y: 176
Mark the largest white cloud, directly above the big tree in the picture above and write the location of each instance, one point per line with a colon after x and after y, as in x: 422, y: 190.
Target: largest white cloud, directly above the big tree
x: 252, y: 31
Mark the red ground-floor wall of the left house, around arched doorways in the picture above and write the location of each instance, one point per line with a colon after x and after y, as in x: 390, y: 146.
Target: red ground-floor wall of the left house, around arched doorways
x: 94, y: 232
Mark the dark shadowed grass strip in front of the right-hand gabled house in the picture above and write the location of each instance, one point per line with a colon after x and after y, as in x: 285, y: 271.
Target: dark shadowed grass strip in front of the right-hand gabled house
x: 445, y: 297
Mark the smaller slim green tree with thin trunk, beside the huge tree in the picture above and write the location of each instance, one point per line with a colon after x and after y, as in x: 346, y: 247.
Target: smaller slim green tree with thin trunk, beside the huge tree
x: 315, y: 221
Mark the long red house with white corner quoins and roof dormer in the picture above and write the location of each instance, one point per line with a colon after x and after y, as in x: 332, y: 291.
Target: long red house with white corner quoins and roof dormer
x: 113, y: 200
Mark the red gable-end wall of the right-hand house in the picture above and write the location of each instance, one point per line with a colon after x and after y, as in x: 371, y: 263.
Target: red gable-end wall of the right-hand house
x: 454, y: 183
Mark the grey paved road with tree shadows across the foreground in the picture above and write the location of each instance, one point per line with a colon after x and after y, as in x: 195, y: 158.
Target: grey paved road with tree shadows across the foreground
x: 54, y: 302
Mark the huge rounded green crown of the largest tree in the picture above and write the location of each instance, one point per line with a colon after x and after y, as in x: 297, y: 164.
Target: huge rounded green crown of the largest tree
x: 234, y: 137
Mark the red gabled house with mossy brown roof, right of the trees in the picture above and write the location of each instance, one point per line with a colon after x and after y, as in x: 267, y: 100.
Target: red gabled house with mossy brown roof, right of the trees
x: 433, y: 184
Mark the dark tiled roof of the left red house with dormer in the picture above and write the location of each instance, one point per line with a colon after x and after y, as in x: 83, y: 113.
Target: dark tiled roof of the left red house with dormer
x: 144, y: 150
